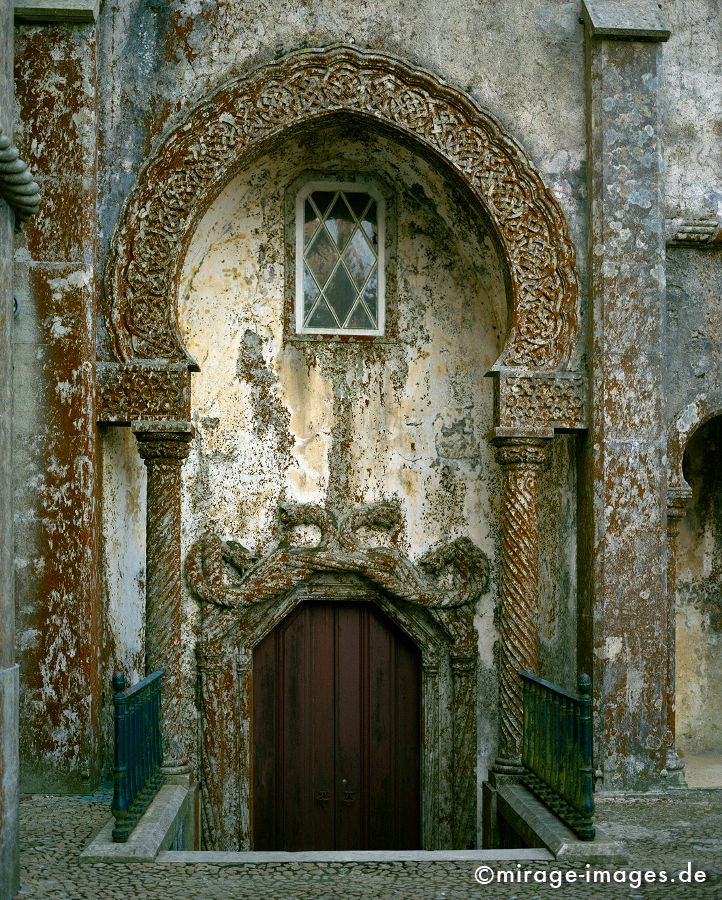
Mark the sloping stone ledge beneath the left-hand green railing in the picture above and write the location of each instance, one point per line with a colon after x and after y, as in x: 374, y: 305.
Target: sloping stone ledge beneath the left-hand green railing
x: 160, y: 824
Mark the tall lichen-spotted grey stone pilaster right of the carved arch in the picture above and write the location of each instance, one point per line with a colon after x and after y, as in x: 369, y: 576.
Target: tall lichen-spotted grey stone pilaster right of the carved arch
x: 623, y: 570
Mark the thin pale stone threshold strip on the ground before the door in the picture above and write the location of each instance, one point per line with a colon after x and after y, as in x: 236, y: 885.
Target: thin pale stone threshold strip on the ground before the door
x: 236, y: 858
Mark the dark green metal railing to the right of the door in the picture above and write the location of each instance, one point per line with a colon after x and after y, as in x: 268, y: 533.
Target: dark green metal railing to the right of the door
x: 557, y: 750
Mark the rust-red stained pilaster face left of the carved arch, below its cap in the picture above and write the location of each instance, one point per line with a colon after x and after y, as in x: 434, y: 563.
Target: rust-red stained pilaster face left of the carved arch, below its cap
x: 56, y: 555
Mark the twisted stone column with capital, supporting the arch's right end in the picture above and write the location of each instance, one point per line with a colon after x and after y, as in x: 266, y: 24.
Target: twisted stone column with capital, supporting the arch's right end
x: 521, y: 459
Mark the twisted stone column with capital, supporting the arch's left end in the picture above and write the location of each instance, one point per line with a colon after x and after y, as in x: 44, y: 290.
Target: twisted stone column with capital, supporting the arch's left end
x: 164, y: 446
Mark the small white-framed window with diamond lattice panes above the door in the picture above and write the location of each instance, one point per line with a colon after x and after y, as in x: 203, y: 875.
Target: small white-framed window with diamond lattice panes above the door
x: 340, y: 258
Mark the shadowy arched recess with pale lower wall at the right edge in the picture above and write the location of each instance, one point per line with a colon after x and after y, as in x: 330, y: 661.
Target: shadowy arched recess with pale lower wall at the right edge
x: 699, y: 597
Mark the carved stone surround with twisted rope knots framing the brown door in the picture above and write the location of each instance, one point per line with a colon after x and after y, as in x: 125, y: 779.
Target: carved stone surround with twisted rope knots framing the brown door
x: 432, y: 601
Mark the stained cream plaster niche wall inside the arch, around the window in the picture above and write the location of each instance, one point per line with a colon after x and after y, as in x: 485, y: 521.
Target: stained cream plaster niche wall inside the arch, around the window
x: 284, y: 416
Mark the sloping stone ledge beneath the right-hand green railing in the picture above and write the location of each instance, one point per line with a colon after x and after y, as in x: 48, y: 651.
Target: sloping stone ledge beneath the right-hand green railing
x: 534, y: 823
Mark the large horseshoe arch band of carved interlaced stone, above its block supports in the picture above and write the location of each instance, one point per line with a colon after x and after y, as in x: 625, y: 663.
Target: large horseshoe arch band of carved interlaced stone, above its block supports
x: 199, y: 156
